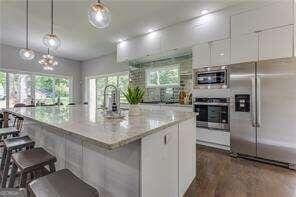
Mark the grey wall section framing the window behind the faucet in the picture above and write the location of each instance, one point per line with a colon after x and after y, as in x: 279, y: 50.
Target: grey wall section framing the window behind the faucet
x: 101, y: 66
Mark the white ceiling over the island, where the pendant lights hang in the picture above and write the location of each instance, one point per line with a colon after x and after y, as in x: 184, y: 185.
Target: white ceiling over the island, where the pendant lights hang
x: 81, y: 41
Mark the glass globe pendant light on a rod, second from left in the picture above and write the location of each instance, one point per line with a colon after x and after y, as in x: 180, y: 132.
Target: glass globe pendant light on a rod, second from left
x: 51, y: 40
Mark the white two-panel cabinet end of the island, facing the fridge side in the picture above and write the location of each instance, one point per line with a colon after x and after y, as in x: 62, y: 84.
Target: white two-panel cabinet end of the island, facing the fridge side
x: 168, y: 161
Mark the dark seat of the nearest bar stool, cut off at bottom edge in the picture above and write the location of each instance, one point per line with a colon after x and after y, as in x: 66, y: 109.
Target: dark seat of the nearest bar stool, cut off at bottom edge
x: 62, y: 183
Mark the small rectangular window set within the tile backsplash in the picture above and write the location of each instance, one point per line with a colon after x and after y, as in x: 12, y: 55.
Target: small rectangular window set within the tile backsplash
x: 163, y: 76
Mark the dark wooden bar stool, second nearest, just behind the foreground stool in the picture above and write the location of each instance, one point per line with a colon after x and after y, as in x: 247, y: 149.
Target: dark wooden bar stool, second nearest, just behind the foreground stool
x: 29, y: 162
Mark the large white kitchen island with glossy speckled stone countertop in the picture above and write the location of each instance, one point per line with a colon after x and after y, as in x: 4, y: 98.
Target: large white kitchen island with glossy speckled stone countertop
x: 152, y: 154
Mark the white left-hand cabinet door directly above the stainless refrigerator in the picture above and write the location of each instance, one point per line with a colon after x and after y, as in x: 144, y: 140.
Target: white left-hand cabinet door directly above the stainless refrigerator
x: 244, y: 48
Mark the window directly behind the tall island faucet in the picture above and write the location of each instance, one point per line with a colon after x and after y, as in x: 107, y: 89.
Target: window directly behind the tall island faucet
x: 120, y: 80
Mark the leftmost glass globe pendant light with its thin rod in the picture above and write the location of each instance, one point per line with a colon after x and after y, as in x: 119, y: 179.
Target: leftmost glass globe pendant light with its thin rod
x: 26, y: 53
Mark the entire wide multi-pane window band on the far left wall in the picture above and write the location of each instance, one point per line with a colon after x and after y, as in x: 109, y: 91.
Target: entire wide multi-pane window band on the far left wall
x: 26, y: 88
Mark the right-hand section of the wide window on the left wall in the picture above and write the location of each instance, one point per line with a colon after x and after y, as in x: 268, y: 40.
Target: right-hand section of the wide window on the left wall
x: 49, y: 89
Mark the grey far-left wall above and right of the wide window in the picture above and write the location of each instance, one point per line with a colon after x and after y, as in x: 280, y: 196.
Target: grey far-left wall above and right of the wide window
x: 10, y: 60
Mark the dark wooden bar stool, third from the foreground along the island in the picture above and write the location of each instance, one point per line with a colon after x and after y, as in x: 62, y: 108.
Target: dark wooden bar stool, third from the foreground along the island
x: 12, y: 145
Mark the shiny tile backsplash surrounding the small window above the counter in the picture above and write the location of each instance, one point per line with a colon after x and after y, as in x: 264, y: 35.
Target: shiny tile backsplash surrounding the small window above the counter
x: 163, y: 94
